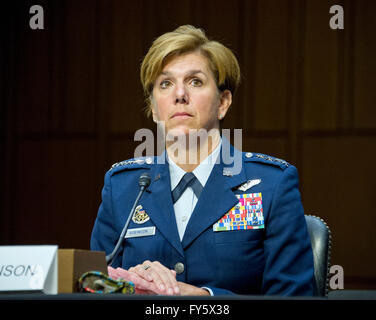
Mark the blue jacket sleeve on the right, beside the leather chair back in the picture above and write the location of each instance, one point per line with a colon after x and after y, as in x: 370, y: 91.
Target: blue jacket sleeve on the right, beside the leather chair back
x: 288, y: 254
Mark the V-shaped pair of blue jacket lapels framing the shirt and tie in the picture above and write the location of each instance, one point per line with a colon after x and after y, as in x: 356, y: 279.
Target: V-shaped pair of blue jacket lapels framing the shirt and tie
x: 158, y: 203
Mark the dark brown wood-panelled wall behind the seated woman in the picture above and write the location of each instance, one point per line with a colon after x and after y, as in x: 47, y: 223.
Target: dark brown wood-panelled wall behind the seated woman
x: 71, y: 101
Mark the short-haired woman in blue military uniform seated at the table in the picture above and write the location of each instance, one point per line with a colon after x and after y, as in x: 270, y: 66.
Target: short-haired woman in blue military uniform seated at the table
x: 214, y: 220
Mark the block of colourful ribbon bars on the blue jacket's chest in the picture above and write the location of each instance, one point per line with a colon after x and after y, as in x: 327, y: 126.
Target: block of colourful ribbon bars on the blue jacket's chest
x: 247, y: 214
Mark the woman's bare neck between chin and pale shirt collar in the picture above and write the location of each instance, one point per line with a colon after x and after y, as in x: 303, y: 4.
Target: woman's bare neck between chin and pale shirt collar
x: 189, y: 151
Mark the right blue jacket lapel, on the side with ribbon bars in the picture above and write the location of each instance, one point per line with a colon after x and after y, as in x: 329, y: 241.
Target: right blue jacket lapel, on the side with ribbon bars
x: 216, y: 199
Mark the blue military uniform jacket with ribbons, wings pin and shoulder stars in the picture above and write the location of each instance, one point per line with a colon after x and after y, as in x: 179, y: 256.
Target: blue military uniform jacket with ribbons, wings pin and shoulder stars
x: 269, y: 254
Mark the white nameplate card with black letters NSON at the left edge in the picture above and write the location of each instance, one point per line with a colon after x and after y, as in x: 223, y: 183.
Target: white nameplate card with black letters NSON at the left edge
x: 28, y: 268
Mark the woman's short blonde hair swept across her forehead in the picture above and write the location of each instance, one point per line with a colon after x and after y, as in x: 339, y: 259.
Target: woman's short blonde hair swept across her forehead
x: 185, y: 39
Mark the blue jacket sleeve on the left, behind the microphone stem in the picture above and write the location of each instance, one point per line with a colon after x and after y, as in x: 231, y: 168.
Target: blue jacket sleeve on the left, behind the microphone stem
x: 104, y: 235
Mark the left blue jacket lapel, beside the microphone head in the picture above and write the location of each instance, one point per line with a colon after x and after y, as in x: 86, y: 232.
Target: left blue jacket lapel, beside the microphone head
x: 158, y: 204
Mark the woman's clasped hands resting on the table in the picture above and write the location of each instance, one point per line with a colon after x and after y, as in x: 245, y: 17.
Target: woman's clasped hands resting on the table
x: 154, y: 278
